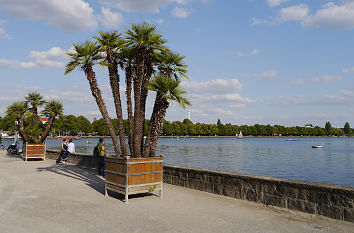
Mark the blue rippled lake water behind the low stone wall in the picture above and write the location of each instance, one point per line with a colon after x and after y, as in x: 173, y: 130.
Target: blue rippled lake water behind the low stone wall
x: 268, y: 156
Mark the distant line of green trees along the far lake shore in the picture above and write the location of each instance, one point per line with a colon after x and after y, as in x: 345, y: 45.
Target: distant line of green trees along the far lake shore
x: 72, y: 125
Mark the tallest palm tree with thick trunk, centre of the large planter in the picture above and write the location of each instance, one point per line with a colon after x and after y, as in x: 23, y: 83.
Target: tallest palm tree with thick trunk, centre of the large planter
x: 145, y: 39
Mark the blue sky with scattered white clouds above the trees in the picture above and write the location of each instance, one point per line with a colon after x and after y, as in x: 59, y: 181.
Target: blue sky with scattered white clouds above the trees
x: 284, y: 62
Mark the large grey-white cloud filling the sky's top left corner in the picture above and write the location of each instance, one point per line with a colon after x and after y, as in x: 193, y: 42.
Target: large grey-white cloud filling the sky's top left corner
x: 68, y: 15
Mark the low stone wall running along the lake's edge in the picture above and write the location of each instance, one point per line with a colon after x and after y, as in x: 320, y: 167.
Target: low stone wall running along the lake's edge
x: 323, y: 199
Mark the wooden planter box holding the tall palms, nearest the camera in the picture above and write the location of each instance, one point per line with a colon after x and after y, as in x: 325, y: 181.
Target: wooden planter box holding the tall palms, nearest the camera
x: 134, y: 175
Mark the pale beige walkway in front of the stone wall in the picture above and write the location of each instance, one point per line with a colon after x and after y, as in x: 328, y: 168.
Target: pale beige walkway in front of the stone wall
x: 42, y: 196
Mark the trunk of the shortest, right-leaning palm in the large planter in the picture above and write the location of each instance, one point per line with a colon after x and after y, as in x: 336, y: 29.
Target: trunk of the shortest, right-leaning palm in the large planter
x: 157, y: 129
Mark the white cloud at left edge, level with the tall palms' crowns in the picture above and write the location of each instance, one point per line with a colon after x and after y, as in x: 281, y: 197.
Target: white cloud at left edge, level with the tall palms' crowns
x: 55, y: 57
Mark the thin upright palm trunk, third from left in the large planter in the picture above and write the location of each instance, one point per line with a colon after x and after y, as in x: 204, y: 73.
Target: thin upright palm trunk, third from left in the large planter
x: 128, y: 82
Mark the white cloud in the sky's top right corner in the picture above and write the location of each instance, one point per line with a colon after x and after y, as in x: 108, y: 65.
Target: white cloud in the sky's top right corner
x: 333, y: 16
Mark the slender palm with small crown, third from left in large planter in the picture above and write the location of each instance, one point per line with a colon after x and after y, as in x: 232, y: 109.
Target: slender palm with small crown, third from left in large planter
x: 126, y: 58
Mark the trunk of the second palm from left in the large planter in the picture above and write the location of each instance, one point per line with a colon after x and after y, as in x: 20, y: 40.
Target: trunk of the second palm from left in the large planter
x: 114, y: 81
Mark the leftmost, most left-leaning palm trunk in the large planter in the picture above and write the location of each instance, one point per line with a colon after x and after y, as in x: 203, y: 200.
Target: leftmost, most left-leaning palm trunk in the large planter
x: 96, y: 93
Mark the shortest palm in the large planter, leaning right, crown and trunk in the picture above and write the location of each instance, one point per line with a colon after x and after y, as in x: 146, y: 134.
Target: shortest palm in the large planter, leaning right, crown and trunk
x: 166, y: 89
